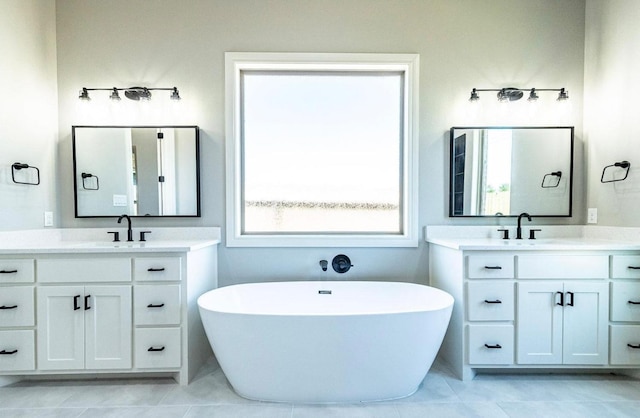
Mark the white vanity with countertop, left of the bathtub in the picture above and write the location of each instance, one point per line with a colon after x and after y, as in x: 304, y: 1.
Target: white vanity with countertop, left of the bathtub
x: 73, y: 303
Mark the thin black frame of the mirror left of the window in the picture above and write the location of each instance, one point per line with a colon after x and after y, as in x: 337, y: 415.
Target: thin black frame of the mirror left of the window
x: 197, y: 168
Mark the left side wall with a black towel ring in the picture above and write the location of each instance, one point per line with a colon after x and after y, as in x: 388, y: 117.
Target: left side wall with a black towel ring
x: 28, y: 110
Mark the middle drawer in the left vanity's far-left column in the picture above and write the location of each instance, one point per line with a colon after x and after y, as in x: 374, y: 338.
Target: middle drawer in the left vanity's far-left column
x: 17, y: 306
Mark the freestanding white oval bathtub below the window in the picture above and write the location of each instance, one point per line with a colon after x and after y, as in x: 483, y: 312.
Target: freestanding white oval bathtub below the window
x: 321, y: 342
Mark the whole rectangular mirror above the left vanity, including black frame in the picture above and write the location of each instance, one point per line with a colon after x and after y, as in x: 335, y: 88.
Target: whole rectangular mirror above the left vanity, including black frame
x: 138, y: 171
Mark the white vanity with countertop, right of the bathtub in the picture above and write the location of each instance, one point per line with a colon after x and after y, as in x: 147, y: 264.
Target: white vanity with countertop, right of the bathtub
x: 559, y: 303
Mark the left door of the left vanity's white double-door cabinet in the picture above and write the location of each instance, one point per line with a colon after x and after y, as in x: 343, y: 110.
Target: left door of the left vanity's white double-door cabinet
x: 60, y: 328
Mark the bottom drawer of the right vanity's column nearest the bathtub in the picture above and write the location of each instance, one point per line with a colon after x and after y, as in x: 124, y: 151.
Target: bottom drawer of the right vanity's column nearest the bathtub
x: 490, y: 344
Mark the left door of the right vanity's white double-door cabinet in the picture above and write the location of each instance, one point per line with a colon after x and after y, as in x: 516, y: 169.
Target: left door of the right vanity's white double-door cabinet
x: 539, y: 324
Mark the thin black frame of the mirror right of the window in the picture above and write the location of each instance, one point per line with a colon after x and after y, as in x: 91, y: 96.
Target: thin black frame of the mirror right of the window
x: 451, y: 167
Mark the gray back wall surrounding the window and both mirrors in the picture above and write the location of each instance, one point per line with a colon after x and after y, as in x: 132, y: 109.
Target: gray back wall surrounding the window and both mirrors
x: 462, y: 44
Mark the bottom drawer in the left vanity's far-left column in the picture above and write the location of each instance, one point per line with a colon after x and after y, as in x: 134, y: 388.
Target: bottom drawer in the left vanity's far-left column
x: 17, y: 350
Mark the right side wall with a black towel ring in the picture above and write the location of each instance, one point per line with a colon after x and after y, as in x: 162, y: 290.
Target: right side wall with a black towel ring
x: 612, y: 84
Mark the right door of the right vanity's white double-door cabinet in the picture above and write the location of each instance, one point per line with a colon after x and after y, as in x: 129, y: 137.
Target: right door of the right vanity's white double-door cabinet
x: 586, y: 310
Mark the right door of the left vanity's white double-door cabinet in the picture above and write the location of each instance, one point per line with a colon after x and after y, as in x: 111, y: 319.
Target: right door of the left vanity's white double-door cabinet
x: 108, y: 327
